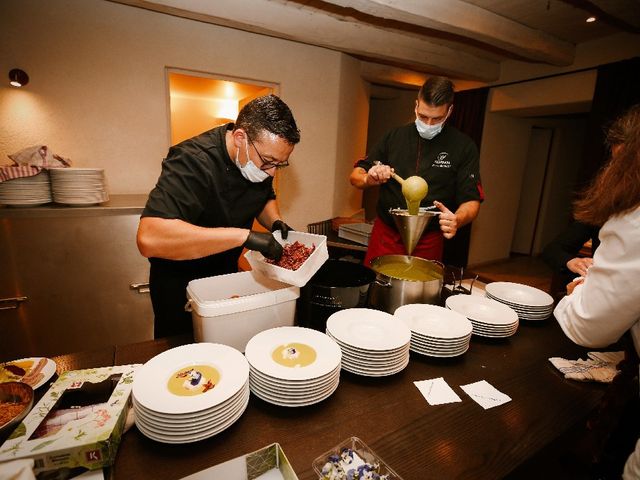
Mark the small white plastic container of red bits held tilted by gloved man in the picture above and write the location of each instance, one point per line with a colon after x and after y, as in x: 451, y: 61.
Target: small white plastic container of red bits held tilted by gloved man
x: 302, y: 275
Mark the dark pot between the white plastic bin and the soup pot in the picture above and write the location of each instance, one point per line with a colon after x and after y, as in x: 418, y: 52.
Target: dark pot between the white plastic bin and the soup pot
x: 335, y: 286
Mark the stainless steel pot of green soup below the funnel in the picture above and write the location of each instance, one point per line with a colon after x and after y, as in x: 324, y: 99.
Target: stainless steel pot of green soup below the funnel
x: 402, y: 279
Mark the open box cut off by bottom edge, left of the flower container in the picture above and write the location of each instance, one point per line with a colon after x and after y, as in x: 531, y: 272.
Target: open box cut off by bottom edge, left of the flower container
x: 251, y: 466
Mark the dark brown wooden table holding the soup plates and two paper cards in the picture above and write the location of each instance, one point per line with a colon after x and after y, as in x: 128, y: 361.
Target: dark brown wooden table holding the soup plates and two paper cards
x: 419, y: 441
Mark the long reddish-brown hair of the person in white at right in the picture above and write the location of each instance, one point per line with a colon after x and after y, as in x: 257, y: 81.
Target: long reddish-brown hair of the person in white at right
x: 616, y: 188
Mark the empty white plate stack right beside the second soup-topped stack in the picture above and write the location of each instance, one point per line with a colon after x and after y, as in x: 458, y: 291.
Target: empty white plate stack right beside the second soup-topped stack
x: 373, y: 343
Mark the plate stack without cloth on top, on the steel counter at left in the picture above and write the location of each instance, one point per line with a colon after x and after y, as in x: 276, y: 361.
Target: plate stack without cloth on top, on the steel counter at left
x: 79, y: 186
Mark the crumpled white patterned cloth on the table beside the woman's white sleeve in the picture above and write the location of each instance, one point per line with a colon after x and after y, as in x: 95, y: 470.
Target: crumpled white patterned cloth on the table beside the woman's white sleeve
x: 600, y: 367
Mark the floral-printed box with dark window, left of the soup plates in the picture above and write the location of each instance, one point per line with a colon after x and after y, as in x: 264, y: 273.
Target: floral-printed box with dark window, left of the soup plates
x: 77, y: 423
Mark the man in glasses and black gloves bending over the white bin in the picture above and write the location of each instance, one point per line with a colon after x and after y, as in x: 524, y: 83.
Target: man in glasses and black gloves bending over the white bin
x: 199, y: 215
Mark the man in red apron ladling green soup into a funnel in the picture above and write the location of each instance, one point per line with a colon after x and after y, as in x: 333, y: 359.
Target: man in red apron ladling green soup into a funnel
x: 428, y: 147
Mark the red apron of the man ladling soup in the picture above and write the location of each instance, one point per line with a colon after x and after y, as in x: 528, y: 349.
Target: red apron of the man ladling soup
x: 385, y: 240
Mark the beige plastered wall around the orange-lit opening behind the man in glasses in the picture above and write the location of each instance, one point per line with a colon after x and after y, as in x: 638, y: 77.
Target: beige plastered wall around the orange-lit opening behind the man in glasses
x: 98, y: 94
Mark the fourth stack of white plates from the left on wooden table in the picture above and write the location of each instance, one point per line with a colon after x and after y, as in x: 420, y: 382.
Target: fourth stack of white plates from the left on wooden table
x: 436, y: 331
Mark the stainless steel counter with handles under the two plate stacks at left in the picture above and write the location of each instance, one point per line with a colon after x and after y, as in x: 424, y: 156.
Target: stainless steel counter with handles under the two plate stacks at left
x: 68, y: 277
